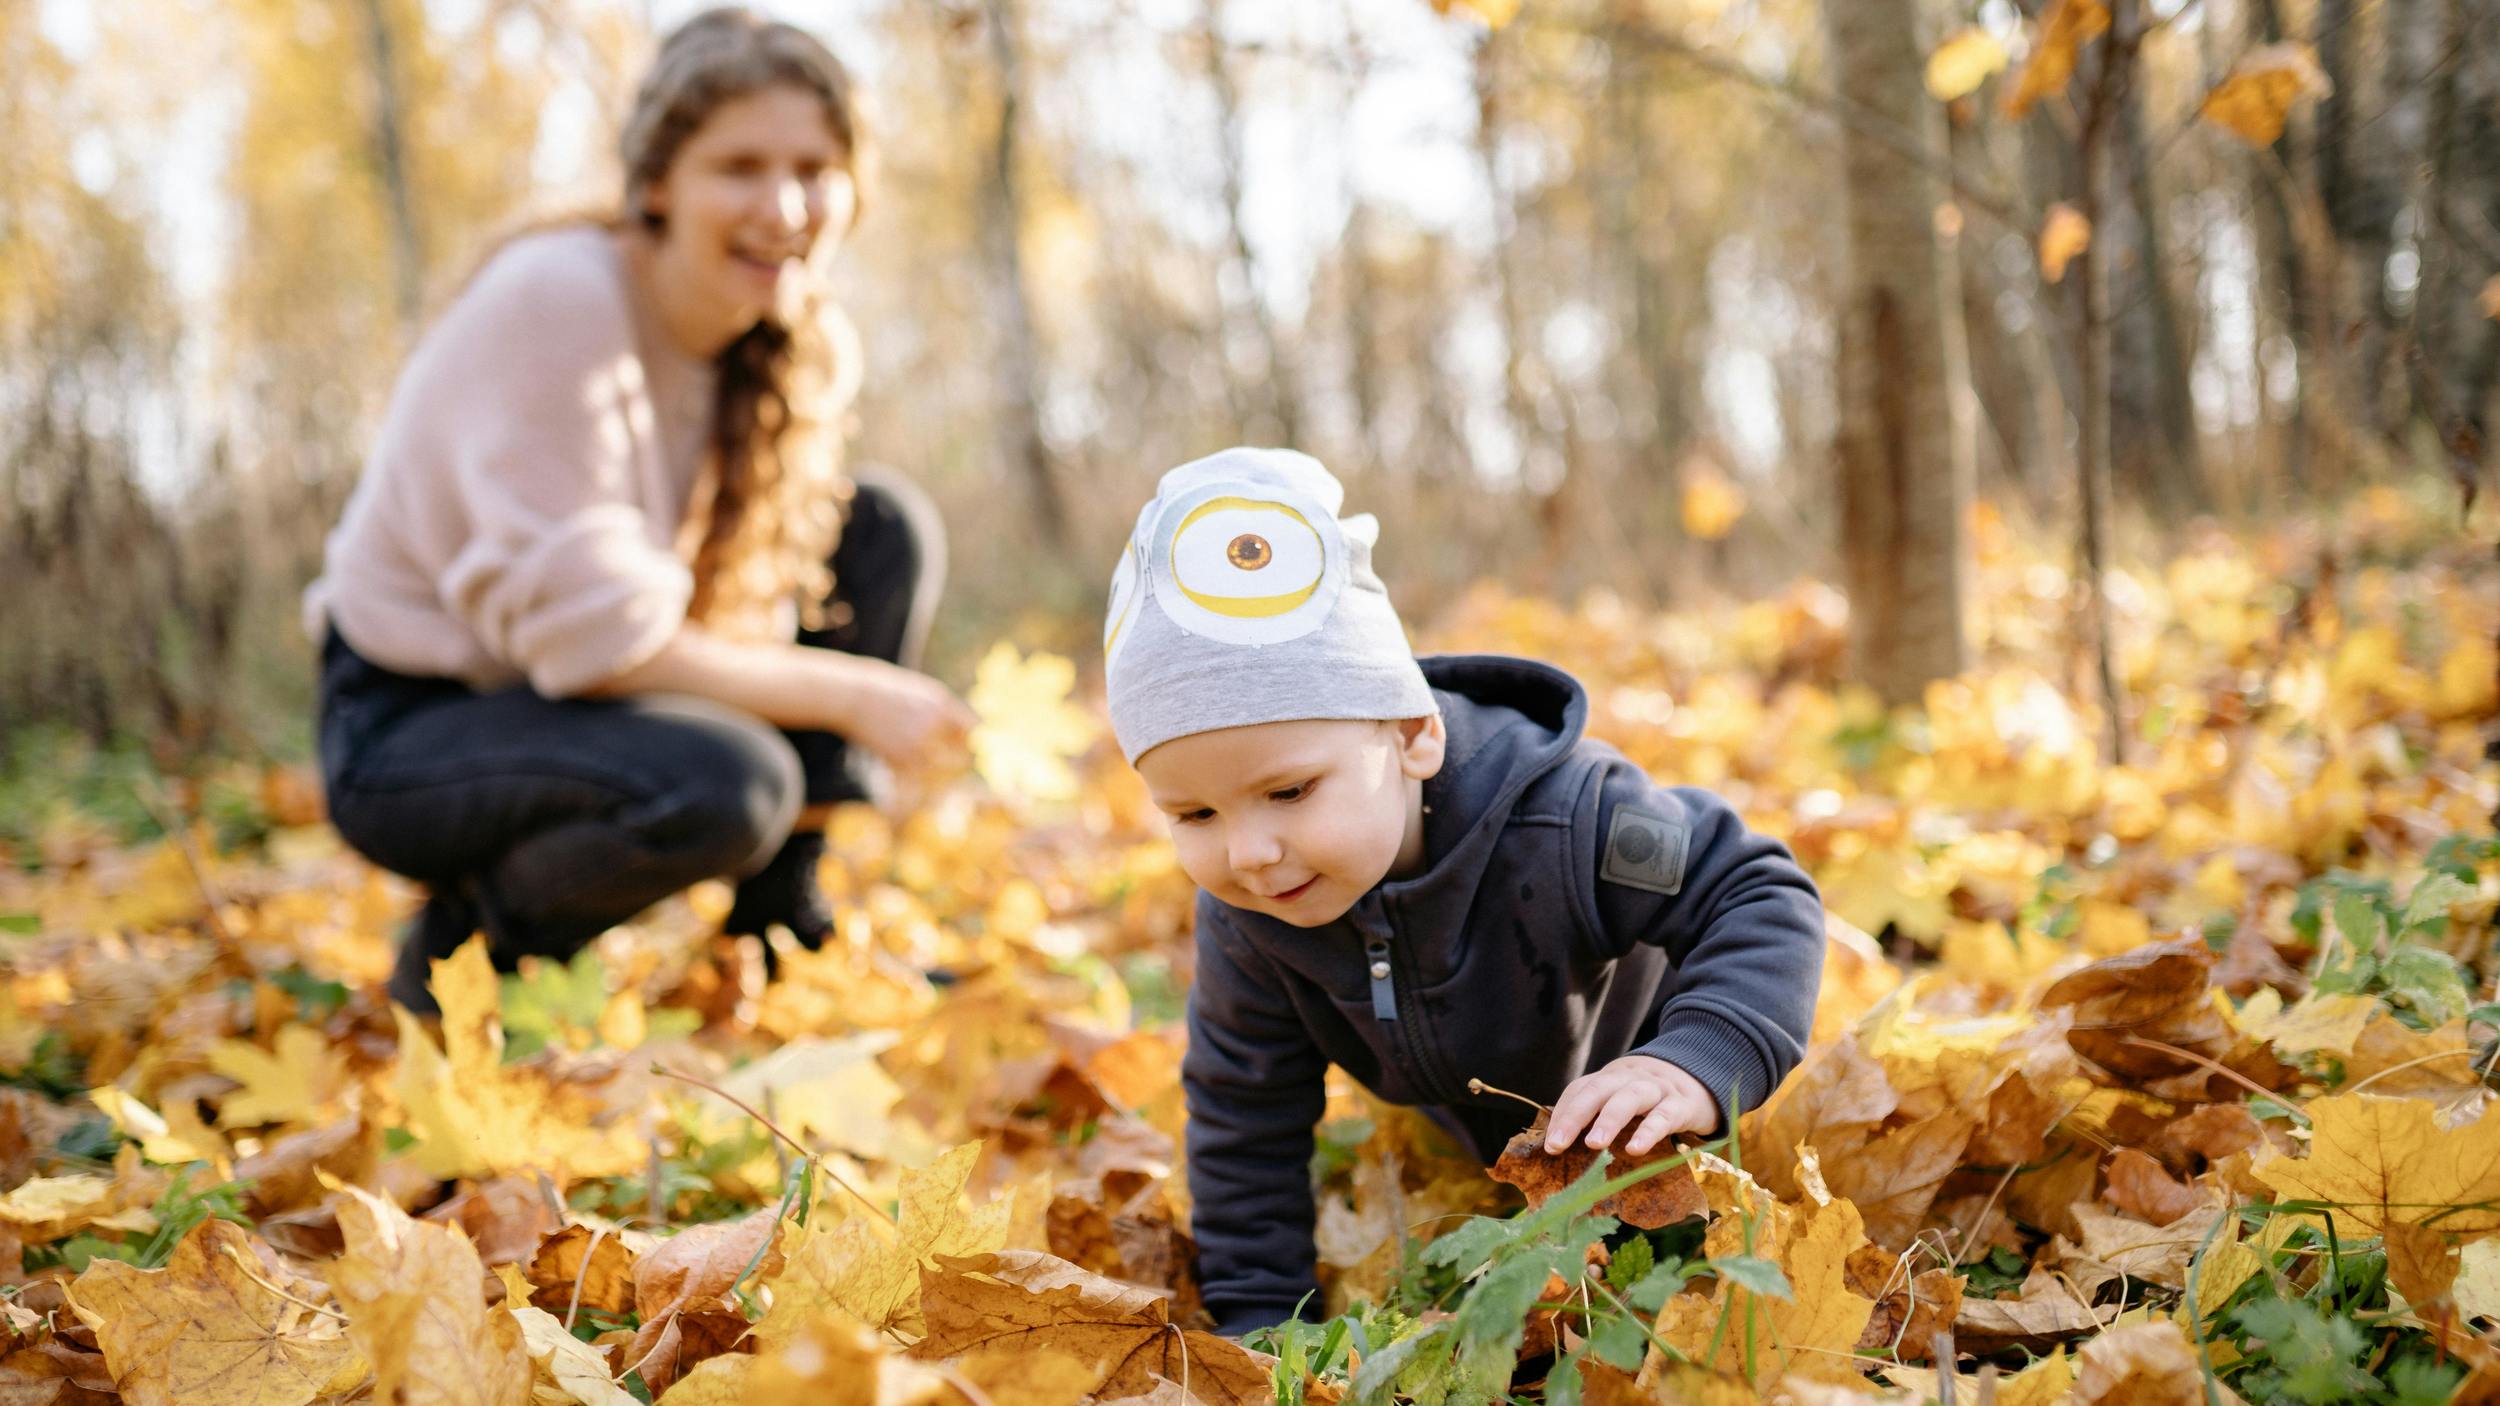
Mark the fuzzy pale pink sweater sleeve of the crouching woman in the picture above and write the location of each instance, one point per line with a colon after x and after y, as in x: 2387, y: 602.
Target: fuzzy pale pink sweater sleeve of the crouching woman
x: 564, y: 574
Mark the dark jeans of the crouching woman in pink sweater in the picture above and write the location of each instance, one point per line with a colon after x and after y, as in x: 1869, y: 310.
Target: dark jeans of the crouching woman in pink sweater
x: 564, y: 817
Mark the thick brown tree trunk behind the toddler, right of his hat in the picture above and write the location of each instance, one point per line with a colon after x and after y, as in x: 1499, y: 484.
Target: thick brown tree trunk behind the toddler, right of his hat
x: 1906, y: 462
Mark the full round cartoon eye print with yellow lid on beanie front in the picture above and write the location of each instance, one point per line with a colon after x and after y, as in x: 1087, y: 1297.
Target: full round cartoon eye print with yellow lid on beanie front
x: 1249, y: 567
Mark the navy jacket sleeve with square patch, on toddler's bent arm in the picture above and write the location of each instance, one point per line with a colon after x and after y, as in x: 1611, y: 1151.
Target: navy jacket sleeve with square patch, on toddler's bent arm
x: 1741, y: 922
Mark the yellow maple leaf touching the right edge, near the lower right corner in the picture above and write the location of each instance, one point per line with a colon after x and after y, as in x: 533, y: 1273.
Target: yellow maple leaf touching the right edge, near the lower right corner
x: 2386, y: 1162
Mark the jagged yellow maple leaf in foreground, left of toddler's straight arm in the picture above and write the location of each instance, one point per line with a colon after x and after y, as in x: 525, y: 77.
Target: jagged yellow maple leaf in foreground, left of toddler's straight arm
x: 871, y: 1270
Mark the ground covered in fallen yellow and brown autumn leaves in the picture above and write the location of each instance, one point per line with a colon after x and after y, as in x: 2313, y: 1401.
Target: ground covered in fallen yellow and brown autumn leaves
x: 2134, y: 1080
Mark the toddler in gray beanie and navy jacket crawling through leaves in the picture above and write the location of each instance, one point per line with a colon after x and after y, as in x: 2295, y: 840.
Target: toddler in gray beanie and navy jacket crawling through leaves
x: 1419, y: 872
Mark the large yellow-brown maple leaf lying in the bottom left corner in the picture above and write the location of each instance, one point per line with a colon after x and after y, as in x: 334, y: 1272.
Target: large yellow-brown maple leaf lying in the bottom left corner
x: 206, y: 1332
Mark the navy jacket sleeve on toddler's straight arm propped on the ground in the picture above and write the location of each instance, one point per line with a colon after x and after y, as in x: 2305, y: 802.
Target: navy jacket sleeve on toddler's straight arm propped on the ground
x: 1256, y: 1090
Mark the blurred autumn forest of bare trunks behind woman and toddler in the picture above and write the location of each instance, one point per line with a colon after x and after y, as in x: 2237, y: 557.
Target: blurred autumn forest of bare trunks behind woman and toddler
x: 1674, y: 299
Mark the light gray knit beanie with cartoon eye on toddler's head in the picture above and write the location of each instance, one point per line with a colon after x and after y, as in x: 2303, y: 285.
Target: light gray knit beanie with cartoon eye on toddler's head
x: 1244, y: 599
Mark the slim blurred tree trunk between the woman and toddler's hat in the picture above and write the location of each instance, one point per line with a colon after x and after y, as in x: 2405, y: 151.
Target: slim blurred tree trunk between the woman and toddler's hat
x: 1016, y: 374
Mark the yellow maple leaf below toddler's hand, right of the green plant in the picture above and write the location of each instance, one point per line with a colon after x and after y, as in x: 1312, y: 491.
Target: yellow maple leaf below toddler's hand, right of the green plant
x: 1806, y: 1335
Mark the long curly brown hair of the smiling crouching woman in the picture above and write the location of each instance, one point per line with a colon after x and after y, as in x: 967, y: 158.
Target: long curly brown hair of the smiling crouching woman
x: 786, y: 382
